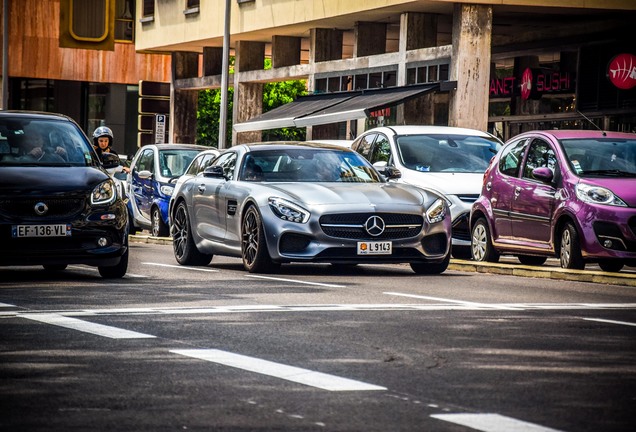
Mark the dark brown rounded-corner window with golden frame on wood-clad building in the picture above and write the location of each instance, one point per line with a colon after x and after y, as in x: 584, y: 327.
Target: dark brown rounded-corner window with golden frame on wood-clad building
x: 88, y: 20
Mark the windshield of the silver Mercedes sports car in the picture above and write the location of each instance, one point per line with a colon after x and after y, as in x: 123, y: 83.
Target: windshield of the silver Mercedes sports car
x: 307, y: 165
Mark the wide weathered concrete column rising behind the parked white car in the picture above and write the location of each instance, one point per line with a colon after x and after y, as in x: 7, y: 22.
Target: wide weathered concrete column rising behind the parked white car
x: 470, y: 66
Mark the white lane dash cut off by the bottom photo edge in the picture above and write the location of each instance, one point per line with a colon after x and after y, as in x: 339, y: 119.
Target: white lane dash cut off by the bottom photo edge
x: 492, y: 423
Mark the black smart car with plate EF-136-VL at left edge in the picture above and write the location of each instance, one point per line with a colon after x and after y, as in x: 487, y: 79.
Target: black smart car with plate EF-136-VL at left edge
x: 58, y: 204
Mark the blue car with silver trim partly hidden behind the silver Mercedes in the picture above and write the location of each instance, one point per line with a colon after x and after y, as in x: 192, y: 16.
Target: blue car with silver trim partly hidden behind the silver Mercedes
x: 153, y: 174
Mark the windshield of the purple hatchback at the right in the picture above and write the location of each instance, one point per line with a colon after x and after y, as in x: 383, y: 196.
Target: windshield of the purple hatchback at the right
x: 601, y: 157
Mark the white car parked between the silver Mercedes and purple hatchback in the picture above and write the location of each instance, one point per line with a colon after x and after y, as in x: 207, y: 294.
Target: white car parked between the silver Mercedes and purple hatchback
x: 448, y: 160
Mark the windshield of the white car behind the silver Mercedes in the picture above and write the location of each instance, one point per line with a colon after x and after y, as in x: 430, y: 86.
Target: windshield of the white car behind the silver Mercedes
x: 446, y: 153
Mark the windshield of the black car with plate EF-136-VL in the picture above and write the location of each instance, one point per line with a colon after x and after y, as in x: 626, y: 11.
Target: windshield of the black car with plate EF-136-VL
x: 29, y: 142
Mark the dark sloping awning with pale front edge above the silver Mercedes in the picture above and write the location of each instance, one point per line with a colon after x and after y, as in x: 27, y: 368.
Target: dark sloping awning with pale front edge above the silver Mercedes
x: 332, y: 107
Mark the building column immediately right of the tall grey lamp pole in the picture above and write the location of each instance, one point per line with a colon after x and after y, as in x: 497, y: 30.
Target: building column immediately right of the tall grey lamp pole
x: 248, y: 97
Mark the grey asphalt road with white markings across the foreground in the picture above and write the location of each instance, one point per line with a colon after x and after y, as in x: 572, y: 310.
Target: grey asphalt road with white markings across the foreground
x: 377, y: 348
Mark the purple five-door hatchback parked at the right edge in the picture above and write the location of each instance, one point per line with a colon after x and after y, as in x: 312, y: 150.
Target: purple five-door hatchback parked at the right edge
x: 560, y: 193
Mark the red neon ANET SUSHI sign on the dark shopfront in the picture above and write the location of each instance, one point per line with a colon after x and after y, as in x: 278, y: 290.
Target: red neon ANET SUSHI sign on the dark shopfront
x: 534, y: 83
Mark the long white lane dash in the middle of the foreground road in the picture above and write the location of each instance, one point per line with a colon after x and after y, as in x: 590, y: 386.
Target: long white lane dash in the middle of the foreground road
x: 289, y: 373
